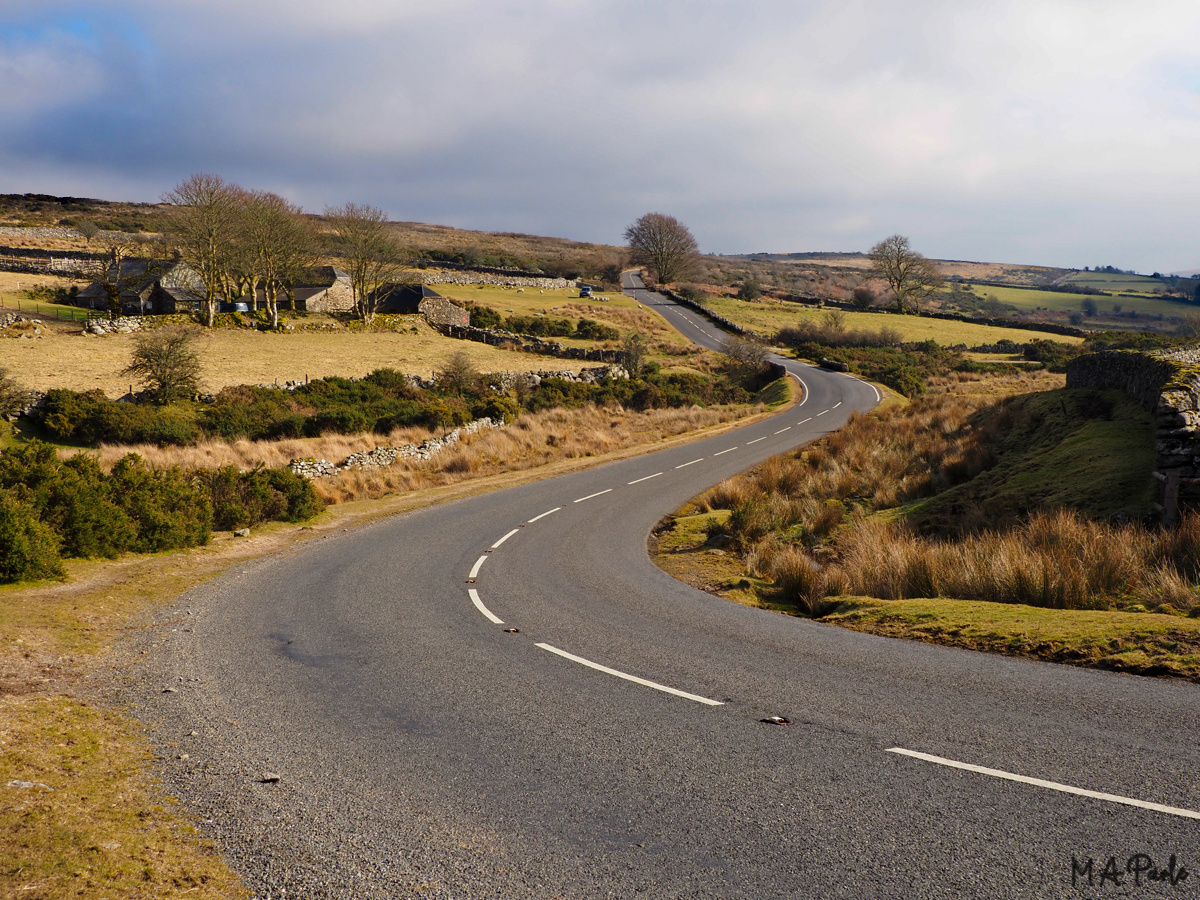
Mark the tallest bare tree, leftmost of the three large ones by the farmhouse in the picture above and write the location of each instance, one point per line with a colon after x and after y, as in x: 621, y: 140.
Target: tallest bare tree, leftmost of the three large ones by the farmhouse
x: 205, y: 226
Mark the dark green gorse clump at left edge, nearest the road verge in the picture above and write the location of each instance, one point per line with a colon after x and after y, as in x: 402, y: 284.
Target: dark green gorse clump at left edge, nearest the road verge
x: 52, y: 508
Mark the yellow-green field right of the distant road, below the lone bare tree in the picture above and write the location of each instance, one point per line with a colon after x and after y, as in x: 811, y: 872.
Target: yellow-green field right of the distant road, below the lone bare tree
x: 770, y: 317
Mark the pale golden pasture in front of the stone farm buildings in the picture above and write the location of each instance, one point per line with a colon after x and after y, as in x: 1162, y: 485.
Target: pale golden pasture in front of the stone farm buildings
x: 244, y: 357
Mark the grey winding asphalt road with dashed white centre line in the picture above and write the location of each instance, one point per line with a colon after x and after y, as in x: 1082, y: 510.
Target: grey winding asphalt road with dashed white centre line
x: 425, y: 749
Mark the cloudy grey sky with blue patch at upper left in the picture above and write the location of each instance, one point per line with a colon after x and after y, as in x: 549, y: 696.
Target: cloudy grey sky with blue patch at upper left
x: 1051, y: 133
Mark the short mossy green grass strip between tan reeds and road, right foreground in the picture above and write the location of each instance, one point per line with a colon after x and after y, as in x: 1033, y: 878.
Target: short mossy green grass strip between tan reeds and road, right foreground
x: 1137, y: 643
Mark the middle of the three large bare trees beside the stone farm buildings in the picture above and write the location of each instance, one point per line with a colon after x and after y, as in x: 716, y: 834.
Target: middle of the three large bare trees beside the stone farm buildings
x: 280, y: 247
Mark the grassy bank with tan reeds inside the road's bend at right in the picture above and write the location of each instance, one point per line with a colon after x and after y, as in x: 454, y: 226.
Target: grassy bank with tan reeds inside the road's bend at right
x: 1011, y: 527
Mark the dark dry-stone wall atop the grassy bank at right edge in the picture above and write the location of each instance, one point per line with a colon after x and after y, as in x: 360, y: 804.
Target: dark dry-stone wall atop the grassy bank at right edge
x: 1168, y: 386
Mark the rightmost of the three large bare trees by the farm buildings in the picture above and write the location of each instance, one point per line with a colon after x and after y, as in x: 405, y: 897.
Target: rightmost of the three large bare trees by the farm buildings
x: 369, y: 251
